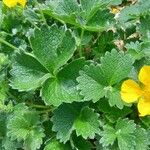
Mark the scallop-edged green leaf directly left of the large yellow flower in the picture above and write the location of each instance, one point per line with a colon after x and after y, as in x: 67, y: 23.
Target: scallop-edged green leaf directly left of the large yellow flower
x: 95, y: 81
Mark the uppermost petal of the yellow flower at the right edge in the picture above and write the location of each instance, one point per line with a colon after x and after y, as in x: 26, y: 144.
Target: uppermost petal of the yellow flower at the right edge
x: 144, y: 75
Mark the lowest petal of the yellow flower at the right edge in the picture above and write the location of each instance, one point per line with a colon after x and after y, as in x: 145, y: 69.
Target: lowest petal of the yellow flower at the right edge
x: 144, y: 107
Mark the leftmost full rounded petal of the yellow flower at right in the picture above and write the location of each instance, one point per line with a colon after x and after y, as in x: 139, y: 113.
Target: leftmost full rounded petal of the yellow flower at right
x: 130, y: 91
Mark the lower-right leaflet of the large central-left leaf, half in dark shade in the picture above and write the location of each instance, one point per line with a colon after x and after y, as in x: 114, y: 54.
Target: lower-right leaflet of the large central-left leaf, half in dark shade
x: 61, y: 89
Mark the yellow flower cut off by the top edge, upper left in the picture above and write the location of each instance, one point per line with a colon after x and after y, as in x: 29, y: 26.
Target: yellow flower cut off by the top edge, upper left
x: 13, y: 3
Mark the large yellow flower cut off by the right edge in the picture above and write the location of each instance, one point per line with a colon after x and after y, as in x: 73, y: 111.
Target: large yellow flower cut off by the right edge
x: 131, y: 91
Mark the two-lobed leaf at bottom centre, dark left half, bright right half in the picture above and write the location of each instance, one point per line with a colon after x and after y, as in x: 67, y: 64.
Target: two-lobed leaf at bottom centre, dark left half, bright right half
x: 69, y: 117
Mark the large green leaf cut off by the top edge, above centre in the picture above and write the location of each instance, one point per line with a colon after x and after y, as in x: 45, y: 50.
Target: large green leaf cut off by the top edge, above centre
x: 88, y: 14
